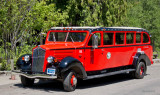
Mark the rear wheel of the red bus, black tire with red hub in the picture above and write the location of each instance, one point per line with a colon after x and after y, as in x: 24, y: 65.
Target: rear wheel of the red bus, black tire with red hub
x: 140, y: 71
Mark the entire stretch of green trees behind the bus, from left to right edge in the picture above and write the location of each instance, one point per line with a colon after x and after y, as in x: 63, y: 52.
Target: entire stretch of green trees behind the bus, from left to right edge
x: 22, y: 21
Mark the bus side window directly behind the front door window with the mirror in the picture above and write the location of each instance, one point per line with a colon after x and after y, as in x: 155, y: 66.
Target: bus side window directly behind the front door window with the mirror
x: 108, y: 38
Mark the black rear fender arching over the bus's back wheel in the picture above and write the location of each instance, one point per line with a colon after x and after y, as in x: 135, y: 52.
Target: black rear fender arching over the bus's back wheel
x: 141, y: 57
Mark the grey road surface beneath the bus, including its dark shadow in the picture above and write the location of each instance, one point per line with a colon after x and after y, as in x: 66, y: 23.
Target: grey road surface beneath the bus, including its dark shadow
x: 113, y: 85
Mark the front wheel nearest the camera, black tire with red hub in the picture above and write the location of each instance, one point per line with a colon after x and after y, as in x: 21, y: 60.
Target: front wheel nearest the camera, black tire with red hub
x: 67, y: 84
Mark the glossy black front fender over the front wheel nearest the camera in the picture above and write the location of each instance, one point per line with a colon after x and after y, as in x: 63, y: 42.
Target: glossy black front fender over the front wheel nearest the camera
x: 71, y: 63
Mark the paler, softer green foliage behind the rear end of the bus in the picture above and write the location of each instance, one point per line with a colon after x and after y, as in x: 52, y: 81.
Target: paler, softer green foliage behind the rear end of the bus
x: 145, y: 14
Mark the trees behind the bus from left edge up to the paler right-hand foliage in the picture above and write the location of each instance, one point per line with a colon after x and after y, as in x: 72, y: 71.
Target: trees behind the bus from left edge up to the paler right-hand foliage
x: 23, y: 21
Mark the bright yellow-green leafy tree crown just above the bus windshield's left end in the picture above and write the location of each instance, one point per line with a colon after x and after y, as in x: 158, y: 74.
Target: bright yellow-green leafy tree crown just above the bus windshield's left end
x: 46, y: 16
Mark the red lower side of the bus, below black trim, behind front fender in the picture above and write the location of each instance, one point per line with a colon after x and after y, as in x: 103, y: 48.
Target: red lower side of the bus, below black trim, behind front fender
x: 120, y: 56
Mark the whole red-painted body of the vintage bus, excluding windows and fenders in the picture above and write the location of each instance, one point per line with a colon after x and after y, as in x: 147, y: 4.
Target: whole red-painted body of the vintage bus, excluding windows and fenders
x: 96, y: 59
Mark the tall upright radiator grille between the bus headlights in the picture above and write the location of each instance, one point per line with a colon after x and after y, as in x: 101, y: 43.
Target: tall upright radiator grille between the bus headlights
x: 38, y: 59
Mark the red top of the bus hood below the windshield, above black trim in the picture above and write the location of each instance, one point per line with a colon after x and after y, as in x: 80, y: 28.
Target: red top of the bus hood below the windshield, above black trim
x: 62, y: 45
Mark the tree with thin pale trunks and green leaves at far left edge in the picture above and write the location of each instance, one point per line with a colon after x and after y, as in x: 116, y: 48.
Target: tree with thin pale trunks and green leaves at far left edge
x: 14, y: 25
